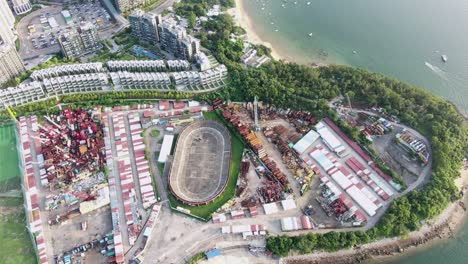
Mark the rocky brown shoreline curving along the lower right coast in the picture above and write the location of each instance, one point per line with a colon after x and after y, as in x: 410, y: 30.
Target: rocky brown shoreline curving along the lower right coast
x: 441, y: 228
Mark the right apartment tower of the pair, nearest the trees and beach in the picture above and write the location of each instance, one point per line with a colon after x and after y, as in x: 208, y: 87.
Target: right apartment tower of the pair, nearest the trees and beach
x: 174, y: 39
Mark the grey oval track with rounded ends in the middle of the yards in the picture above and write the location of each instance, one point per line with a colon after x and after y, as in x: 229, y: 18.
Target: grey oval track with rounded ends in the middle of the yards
x: 200, y: 170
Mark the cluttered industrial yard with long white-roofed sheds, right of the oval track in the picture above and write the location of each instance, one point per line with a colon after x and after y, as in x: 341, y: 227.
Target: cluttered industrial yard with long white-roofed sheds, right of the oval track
x: 291, y: 150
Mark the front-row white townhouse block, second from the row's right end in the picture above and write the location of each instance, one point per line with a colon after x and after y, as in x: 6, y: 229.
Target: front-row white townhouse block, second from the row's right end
x: 141, y: 80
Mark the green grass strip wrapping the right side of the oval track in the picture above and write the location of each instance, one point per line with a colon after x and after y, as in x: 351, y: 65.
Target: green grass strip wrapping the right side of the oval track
x: 205, y: 211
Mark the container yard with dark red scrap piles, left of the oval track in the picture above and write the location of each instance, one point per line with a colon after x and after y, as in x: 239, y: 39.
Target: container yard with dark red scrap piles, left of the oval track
x: 86, y: 174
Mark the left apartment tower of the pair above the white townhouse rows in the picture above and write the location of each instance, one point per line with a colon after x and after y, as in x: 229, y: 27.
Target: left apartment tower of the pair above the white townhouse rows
x: 145, y: 26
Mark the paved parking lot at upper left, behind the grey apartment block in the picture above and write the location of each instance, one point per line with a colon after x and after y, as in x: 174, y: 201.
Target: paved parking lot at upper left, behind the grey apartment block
x: 39, y: 30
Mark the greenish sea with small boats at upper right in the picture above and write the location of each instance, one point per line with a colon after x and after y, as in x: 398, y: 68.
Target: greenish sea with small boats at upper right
x: 400, y: 38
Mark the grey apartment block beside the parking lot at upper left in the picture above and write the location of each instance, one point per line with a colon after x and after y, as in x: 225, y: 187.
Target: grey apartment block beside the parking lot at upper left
x: 79, y: 42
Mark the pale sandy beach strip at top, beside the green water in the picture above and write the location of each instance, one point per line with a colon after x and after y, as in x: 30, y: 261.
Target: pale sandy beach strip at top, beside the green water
x: 244, y: 21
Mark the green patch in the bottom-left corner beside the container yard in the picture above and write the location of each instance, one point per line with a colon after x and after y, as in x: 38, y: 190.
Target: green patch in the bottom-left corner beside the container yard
x: 16, y: 243
